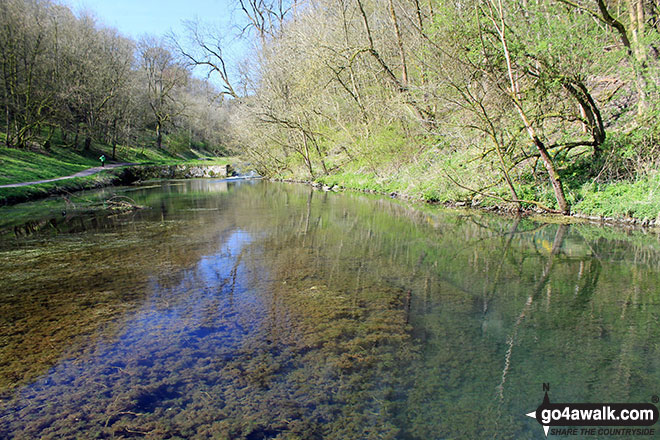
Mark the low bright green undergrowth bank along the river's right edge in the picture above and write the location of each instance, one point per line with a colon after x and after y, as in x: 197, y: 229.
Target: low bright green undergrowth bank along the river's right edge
x: 620, y: 184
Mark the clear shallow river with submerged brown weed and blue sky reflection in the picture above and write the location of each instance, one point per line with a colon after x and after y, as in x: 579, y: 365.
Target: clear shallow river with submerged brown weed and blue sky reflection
x: 257, y: 310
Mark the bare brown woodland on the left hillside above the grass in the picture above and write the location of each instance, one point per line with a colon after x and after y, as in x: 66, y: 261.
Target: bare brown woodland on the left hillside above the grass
x: 67, y: 79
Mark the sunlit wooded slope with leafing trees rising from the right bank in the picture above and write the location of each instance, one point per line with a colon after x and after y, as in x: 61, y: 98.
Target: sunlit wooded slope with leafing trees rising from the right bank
x: 550, y: 105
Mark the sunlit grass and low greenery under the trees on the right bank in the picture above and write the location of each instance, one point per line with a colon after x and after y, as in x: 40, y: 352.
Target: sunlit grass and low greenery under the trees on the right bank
x: 618, y: 186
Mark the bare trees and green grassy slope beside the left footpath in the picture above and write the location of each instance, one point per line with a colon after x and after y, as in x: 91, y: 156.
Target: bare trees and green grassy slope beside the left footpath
x: 73, y: 90
